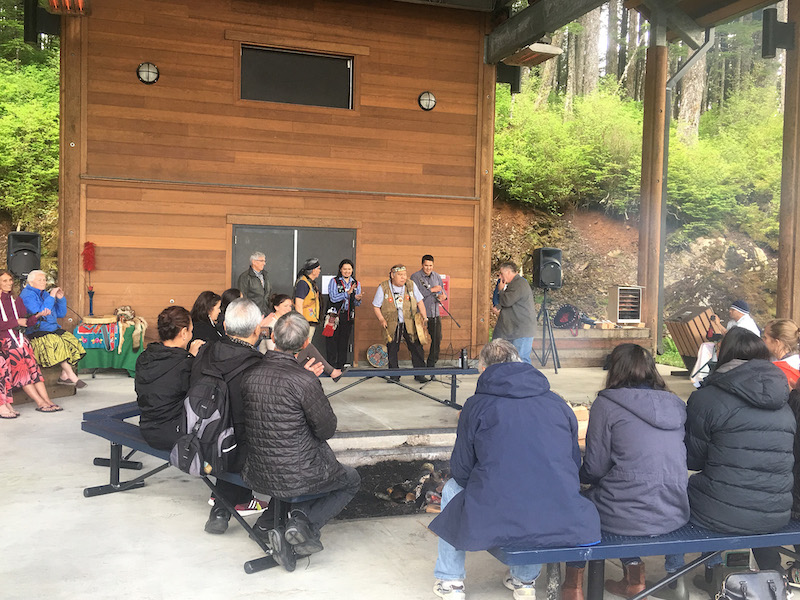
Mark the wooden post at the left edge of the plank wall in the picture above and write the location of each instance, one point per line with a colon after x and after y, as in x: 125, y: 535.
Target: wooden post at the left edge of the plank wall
x: 71, y: 152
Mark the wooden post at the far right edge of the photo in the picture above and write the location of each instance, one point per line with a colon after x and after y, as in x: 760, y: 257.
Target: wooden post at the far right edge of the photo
x: 788, y: 303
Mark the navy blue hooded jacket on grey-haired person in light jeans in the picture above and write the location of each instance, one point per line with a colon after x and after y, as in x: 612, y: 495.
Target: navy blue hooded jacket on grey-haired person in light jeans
x: 516, y: 456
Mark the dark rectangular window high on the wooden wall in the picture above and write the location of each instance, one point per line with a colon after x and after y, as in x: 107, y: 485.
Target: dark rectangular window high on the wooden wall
x: 297, y: 77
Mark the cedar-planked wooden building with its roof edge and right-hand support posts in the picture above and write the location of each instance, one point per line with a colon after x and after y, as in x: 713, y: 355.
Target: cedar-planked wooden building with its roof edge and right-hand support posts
x: 177, y: 163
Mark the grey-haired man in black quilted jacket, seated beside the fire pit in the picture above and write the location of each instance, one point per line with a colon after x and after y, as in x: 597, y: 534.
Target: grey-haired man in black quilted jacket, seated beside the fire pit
x: 288, y: 421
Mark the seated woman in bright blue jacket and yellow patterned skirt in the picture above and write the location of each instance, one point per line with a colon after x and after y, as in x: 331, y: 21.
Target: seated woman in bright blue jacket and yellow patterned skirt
x: 51, y: 344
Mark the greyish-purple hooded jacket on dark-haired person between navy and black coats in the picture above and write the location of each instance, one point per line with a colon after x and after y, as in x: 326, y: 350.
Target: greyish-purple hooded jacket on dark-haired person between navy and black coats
x: 636, y: 460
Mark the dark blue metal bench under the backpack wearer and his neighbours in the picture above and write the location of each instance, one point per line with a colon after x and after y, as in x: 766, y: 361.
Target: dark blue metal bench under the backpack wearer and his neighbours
x: 109, y: 423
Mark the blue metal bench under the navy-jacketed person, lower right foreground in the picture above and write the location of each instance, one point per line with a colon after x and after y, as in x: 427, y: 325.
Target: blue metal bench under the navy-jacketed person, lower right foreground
x: 686, y: 540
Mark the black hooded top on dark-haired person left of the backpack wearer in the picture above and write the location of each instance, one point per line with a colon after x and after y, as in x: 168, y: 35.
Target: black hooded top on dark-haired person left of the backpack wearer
x: 161, y: 383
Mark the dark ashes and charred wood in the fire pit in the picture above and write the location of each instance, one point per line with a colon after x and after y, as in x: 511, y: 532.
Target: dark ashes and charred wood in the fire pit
x: 374, y: 498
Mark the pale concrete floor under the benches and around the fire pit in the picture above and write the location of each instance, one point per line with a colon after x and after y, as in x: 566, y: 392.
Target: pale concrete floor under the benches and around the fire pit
x: 150, y: 544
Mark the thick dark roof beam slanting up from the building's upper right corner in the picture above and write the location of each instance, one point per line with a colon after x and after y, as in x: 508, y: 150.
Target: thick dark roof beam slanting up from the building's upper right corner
x: 529, y: 25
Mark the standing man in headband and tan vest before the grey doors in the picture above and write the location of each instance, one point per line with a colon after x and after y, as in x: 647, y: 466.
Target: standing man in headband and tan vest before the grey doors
x: 397, y: 301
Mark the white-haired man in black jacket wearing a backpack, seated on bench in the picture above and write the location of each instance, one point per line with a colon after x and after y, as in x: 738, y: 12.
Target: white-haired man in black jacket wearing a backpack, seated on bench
x: 236, y: 349
